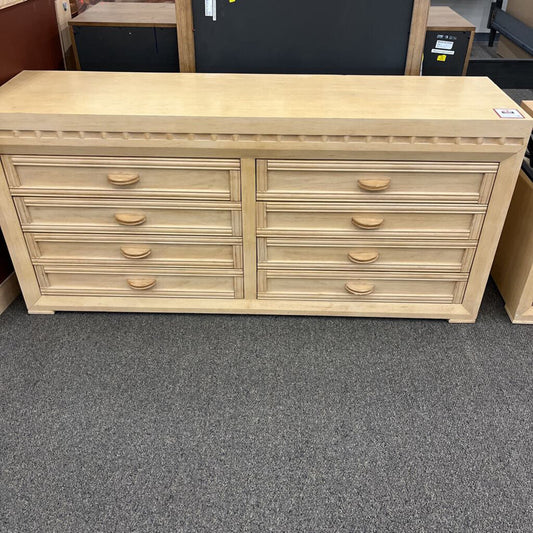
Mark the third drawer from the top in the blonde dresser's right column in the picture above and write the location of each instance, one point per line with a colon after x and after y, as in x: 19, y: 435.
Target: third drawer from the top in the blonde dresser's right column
x: 340, y: 254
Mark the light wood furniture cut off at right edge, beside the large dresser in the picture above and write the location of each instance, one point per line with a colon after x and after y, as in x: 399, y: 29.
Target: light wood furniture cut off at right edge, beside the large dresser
x: 513, y: 266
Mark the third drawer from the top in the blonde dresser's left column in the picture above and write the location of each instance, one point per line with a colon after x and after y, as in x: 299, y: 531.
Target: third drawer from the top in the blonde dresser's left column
x: 161, y: 252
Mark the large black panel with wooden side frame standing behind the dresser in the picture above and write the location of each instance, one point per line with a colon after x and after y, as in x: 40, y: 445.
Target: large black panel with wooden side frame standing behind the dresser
x: 242, y: 40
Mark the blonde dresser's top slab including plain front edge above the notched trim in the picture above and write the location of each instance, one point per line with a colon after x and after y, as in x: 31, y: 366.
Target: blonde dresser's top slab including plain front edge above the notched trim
x: 255, y: 102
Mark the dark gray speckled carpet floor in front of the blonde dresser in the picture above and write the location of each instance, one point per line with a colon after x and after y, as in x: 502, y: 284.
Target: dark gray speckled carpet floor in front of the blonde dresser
x: 194, y: 423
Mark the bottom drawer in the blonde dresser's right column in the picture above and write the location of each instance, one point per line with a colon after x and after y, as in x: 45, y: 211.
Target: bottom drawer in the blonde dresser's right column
x: 361, y: 287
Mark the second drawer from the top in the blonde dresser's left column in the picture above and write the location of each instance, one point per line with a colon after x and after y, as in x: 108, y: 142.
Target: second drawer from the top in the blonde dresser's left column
x: 128, y: 216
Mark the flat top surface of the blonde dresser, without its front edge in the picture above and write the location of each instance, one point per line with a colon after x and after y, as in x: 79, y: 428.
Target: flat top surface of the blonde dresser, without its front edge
x: 245, y: 95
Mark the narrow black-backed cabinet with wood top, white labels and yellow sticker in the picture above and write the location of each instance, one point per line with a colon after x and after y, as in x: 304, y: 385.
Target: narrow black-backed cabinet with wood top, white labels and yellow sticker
x: 447, y: 26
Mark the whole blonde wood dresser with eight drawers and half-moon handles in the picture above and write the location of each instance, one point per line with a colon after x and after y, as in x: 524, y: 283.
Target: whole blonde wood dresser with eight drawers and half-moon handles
x: 313, y: 195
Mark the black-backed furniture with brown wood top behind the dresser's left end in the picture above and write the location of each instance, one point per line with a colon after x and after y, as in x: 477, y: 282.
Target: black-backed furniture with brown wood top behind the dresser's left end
x: 126, y: 36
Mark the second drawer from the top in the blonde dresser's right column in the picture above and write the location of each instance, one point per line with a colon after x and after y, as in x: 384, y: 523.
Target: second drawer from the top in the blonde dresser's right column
x: 368, y: 221
